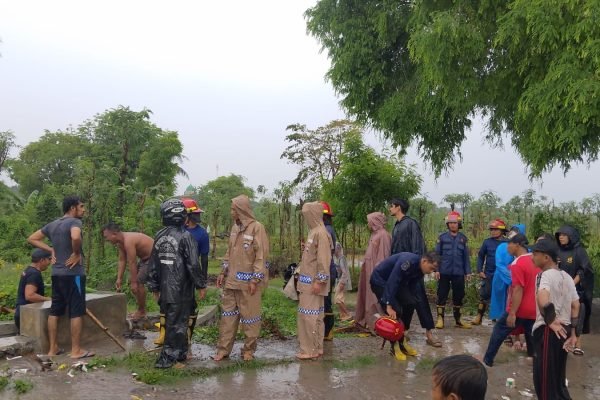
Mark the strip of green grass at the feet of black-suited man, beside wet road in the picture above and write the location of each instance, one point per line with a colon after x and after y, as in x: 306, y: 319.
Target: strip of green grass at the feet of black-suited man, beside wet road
x: 143, y: 365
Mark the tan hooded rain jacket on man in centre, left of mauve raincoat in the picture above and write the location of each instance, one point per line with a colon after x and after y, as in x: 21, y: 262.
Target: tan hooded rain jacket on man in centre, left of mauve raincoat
x: 316, y: 257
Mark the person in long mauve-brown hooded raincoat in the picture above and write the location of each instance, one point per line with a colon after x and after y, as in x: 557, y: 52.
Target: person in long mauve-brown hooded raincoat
x: 379, y: 248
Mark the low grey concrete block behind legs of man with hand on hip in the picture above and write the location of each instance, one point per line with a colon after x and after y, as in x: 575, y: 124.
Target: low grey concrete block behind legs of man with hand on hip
x: 110, y: 308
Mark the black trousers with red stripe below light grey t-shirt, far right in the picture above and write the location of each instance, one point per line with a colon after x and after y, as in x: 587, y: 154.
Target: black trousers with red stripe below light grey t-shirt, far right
x: 550, y: 365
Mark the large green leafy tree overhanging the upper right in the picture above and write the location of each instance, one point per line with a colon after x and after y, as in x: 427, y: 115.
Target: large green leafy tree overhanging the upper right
x: 419, y: 71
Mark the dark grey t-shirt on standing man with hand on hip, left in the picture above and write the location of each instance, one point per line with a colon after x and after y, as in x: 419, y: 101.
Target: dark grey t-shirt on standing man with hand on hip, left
x: 59, y: 233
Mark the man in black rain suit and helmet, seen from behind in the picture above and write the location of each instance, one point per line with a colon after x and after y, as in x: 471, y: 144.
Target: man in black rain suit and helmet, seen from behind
x: 173, y: 274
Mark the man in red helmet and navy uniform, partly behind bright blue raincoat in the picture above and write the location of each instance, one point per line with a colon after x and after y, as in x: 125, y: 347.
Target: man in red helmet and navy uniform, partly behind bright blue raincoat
x: 486, y: 265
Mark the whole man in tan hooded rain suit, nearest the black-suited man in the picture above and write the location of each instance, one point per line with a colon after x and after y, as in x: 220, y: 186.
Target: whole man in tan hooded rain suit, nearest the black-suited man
x: 243, y: 278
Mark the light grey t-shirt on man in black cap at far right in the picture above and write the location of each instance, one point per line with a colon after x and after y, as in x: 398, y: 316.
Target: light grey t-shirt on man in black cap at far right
x: 562, y: 291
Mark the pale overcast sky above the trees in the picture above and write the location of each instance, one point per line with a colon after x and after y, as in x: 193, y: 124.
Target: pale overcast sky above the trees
x: 228, y: 76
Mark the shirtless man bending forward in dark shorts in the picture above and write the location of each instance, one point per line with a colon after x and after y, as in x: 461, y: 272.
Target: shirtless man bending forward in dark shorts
x: 131, y: 246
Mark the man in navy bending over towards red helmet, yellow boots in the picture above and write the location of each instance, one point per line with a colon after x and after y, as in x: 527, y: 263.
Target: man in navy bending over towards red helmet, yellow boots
x: 393, y: 281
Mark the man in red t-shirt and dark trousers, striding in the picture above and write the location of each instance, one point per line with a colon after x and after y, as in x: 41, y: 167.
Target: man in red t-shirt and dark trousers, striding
x: 520, y: 310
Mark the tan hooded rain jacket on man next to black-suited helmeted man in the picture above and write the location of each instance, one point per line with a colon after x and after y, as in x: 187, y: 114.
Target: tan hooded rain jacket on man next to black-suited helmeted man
x: 248, y: 248
